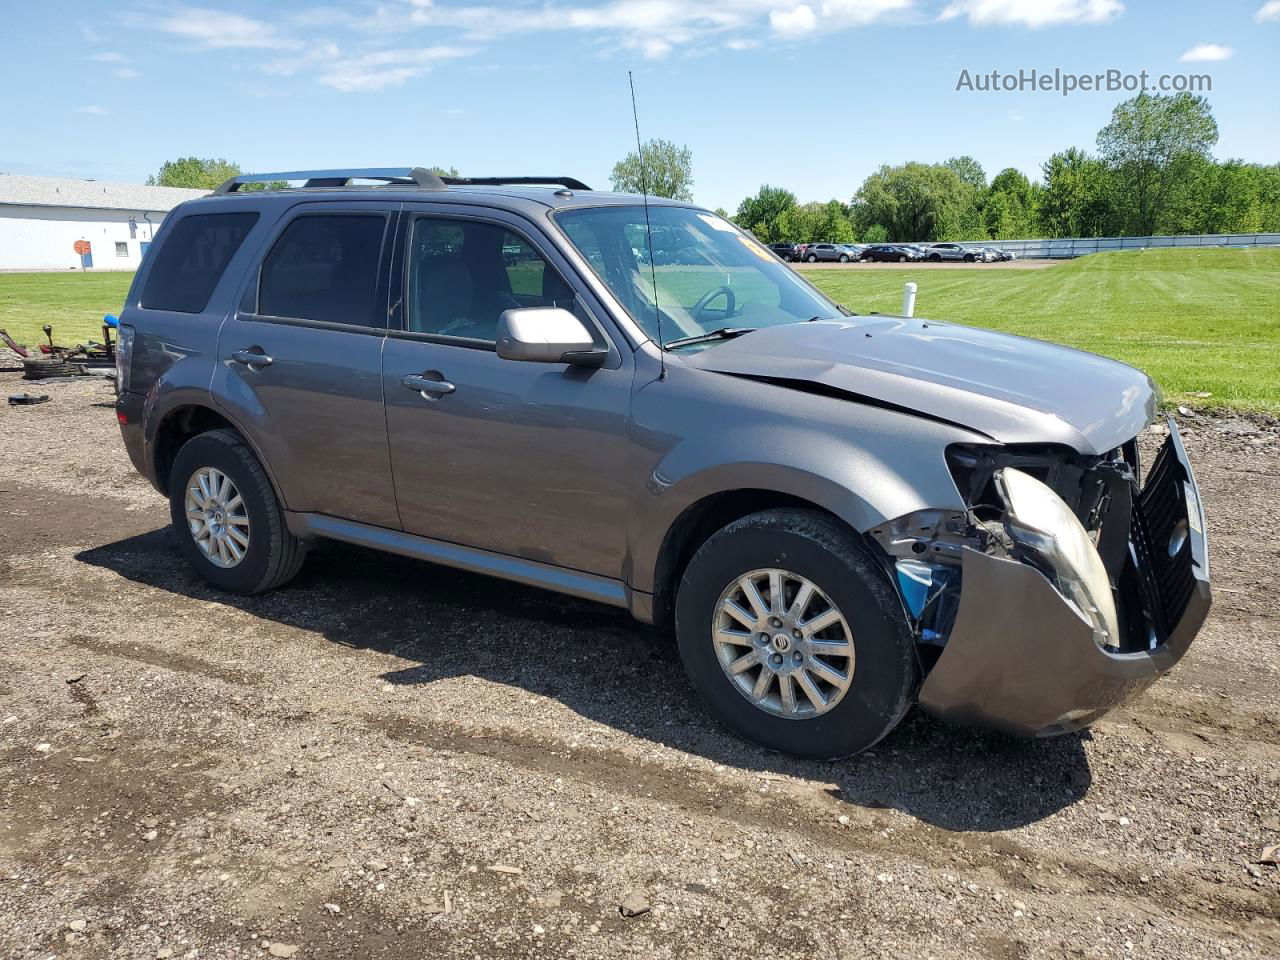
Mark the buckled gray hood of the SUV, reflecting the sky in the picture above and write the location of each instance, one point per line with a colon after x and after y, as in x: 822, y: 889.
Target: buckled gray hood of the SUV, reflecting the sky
x: 1009, y: 388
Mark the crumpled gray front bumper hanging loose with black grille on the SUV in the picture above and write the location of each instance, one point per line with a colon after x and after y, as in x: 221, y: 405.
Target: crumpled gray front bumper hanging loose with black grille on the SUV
x: 1022, y: 660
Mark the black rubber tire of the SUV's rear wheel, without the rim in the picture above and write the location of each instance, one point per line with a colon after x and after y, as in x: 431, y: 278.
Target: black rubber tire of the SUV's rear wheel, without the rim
x: 273, y: 556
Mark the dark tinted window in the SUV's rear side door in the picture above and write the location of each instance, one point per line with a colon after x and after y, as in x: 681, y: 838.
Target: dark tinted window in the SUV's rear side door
x: 324, y: 268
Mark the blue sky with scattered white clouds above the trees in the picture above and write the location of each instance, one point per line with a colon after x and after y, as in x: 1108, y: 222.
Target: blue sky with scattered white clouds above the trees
x: 811, y: 95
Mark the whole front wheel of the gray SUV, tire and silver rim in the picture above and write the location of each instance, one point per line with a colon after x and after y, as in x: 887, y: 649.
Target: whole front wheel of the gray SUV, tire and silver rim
x: 794, y: 638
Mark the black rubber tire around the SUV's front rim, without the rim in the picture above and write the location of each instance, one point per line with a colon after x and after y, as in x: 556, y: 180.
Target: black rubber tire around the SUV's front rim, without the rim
x: 810, y: 546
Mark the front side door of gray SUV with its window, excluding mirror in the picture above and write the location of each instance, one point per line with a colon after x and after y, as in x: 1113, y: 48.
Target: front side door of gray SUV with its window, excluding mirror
x: 525, y: 460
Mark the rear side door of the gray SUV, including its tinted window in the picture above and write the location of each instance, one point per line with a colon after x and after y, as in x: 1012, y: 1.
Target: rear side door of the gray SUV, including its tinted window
x: 300, y: 363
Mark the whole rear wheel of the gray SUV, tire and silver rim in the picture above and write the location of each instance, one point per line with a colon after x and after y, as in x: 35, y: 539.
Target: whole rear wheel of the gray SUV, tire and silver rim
x: 227, y: 519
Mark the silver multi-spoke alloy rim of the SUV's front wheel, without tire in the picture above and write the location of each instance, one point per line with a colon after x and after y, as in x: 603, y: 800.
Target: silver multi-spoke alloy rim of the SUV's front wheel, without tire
x: 784, y: 644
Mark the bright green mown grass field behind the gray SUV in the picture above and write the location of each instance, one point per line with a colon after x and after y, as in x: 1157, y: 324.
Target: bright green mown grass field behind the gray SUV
x: 1197, y: 321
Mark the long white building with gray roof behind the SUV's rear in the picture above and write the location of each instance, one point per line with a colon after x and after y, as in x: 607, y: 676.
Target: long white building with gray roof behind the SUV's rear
x: 44, y: 220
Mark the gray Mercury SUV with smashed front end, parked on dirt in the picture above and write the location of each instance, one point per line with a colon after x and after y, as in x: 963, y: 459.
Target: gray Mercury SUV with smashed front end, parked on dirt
x: 836, y: 515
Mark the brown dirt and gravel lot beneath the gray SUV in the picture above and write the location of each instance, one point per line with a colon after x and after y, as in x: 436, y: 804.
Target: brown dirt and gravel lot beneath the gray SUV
x: 388, y: 760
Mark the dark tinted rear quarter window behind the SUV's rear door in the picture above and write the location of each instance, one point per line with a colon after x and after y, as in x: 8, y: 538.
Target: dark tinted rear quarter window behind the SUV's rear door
x: 193, y: 260
